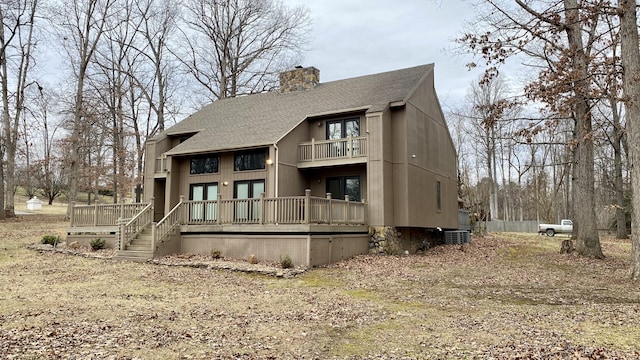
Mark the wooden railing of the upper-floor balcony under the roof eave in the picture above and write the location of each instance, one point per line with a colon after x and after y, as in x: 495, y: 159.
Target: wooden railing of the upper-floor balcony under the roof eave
x: 345, y: 148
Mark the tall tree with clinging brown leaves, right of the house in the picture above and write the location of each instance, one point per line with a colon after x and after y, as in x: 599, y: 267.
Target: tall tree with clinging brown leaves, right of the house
x: 551, y: 37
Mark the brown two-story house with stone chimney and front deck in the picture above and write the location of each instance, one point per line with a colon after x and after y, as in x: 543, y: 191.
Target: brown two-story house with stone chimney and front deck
x: 304, y: 171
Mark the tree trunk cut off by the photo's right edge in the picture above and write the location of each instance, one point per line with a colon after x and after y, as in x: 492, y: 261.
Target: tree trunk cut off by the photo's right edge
x: 631, y: 85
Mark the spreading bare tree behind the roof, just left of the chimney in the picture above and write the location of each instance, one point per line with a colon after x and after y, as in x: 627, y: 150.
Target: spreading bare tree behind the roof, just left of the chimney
x: 239, y: 46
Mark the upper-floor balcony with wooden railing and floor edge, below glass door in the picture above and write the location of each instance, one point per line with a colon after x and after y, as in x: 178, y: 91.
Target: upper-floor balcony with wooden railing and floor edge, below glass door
x: 318, y: 153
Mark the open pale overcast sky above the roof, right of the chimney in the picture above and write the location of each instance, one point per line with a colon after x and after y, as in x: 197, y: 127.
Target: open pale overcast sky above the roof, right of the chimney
x: 359, y: 37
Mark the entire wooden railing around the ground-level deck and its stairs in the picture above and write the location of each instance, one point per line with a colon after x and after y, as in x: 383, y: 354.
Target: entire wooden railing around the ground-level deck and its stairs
x: 264, y: 211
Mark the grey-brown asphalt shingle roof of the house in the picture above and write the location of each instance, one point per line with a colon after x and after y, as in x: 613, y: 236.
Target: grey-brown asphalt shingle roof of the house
x: 262, y: 119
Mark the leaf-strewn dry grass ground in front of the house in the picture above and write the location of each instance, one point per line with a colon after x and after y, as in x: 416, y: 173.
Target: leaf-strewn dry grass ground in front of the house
x: 505, y: 296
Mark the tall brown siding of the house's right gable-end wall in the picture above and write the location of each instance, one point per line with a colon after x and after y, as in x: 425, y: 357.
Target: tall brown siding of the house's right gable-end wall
x: 423, y: 155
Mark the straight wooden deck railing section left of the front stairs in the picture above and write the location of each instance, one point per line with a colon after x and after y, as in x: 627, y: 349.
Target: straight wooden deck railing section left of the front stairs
x: 104, y: 214
